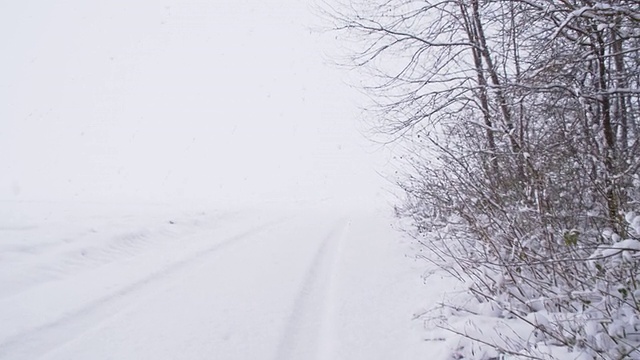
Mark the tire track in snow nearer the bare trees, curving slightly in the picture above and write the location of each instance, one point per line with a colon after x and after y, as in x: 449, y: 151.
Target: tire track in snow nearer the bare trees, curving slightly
x: 308, y: 331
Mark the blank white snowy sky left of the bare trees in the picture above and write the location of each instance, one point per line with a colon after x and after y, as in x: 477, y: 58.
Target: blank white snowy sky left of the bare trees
x: 169, y: 99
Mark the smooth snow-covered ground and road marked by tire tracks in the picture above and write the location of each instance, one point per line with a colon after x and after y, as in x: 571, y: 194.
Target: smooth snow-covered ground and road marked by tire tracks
x: 124, y: 281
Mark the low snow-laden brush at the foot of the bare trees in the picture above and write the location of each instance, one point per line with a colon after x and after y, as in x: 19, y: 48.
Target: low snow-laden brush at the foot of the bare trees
x: 550, y: 290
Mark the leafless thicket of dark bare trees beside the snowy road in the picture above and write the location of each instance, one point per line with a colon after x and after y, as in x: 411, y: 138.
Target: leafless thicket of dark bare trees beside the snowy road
x: 522, y: 119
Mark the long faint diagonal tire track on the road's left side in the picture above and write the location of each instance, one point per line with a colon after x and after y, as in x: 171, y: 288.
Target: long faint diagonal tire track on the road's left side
x: 38, y: 341
